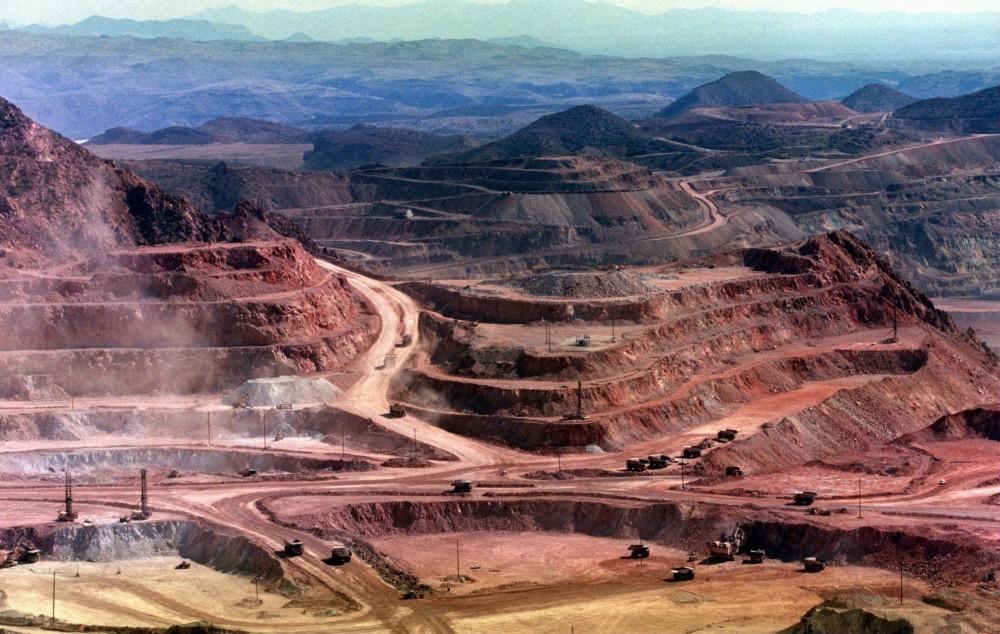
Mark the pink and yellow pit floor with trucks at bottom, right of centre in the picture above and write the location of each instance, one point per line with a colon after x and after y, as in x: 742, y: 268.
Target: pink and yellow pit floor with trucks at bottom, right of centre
x: 537, y: 582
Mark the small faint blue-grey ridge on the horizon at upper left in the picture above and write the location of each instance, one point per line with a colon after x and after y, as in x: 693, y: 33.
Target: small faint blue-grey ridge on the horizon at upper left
x: 195, y: 30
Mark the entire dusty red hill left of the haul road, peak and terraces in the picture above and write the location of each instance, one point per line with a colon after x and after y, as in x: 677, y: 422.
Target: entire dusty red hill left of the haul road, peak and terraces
x: 101, y: 298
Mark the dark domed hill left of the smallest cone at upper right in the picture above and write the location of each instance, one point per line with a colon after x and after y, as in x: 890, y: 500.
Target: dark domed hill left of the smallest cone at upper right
x: 739, y: 89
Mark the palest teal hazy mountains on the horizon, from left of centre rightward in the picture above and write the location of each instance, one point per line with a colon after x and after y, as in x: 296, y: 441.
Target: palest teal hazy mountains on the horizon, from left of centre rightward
x: 601, y: 27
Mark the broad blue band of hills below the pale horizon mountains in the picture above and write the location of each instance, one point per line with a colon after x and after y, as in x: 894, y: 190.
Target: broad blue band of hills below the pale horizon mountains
x: 74, y: 83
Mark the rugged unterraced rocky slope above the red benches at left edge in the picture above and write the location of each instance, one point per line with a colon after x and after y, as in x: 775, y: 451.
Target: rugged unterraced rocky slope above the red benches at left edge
x: 61, y: 202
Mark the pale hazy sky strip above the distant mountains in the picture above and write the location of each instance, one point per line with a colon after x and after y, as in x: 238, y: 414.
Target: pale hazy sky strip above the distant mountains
x: 64, y: 11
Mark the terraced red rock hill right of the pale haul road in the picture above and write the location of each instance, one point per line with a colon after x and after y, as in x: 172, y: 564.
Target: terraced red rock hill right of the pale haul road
x: 702, y: 350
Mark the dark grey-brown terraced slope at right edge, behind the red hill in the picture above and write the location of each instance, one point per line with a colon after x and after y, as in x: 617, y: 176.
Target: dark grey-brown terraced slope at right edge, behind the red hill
x: 933, y: 210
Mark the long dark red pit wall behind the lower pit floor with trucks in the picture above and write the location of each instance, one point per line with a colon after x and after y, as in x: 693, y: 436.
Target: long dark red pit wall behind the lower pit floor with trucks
x: 686, y: 526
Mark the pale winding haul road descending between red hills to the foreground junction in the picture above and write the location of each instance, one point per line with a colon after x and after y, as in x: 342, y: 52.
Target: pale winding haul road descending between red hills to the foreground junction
x: 235, y: 505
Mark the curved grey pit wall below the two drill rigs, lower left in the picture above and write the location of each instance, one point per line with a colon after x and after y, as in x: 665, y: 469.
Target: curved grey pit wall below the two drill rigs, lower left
x: 210, y: 546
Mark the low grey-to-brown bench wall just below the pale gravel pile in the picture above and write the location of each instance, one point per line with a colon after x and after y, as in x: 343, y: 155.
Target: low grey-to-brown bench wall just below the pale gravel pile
x: 361, y: 433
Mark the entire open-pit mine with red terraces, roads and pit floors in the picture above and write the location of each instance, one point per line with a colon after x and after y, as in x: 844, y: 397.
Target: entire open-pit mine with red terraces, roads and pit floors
x: 546, y: 394
